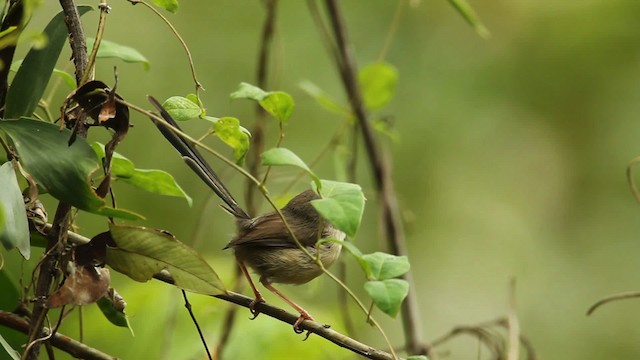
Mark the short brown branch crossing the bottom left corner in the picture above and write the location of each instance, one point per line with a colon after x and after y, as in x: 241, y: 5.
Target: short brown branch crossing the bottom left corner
x: 62, y: 342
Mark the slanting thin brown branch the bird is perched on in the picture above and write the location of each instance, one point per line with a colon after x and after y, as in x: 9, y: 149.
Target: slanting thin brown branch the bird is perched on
x: 266, y: 309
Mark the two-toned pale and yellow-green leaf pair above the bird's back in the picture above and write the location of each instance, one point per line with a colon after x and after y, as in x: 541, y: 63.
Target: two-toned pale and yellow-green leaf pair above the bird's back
x: 277, y: 103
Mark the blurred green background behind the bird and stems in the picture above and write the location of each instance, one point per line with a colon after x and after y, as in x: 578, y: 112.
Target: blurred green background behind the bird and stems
x: 510, y: 163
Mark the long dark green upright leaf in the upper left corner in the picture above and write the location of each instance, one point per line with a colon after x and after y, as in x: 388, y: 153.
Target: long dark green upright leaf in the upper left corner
x: 33, y: 76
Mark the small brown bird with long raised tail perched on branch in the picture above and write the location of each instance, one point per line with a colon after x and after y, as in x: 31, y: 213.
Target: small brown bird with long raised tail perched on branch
x: 264, y: 242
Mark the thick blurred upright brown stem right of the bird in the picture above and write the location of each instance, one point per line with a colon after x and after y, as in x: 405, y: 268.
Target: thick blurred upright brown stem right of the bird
x: 381, y: 174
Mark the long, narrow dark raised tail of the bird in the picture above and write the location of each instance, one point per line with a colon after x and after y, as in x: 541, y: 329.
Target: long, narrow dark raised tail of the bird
x: 196, y: 162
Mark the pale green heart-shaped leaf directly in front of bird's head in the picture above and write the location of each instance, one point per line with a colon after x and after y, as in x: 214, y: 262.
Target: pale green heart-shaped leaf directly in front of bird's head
x: 342, y: 204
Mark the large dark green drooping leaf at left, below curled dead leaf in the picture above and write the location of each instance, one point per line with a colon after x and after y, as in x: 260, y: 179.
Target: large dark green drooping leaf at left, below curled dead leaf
x: 63, y: 170
